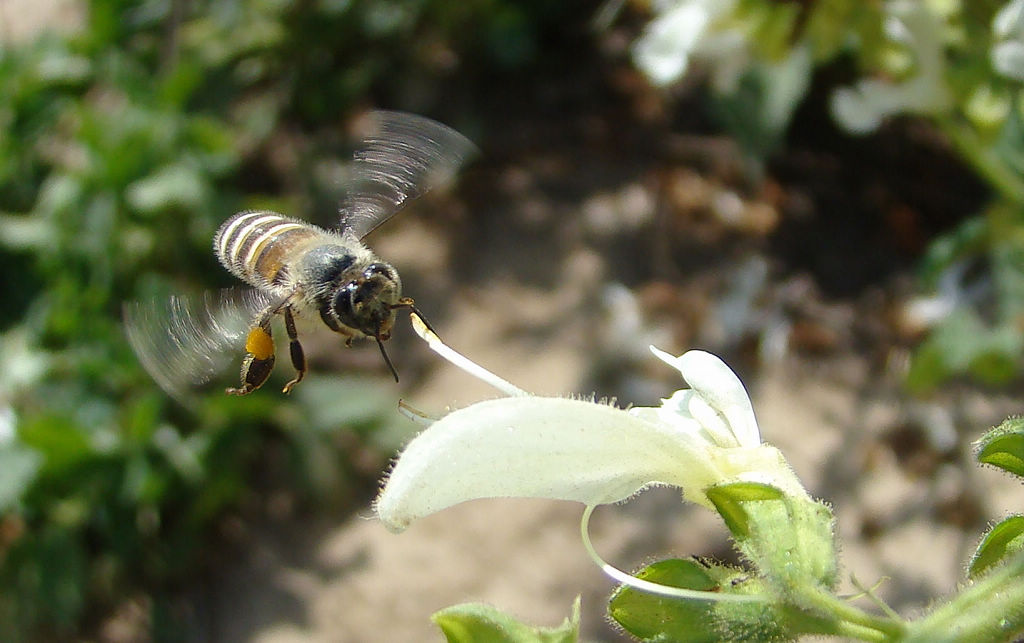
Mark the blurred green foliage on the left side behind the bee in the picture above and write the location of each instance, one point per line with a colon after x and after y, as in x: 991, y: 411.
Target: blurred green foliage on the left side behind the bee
x: 124, y: 146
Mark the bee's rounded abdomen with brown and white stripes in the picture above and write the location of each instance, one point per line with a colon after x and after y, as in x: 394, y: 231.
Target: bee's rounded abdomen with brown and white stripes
x: 255, y: 246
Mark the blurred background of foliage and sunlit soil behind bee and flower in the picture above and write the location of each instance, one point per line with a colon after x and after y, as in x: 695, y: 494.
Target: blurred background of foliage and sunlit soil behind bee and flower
x: 826, y: 194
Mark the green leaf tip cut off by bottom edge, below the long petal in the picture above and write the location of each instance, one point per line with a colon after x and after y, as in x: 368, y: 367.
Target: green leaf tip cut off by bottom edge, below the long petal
x: 477, y: 622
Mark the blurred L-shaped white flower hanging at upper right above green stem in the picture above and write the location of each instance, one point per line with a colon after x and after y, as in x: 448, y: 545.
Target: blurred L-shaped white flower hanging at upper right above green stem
x: 915, y: 25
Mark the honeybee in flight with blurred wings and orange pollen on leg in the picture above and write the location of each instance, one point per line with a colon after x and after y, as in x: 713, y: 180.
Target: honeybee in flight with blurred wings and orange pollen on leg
x: 300, y: 271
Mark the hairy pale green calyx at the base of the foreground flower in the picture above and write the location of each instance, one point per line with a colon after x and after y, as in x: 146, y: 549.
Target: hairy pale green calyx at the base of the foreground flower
x: 789, y: 539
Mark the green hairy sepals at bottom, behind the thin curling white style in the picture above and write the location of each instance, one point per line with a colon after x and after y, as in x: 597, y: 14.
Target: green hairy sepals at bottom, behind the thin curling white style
x: 660, y: 619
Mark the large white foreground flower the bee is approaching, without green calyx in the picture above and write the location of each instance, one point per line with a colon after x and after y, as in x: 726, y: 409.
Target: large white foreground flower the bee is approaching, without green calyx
x: 530, y: 447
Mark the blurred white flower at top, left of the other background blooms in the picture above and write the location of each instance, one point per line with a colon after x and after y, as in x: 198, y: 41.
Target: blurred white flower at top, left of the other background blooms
x: 688, y: 29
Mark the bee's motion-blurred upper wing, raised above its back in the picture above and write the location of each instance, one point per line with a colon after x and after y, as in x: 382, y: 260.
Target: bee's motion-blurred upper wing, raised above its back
x: 403, y: 156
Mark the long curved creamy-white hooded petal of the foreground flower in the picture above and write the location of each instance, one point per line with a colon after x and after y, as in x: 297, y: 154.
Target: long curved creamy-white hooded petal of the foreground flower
x: 538, y: 448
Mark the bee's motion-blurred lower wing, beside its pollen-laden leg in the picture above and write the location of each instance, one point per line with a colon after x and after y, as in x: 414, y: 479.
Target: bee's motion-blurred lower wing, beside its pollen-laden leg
x: 184, y: 342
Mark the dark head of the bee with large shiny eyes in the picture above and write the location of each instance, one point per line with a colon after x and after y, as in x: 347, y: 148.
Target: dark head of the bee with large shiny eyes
x: 368, y: 303
